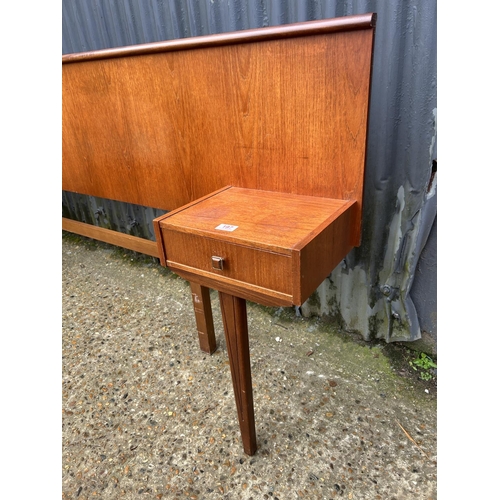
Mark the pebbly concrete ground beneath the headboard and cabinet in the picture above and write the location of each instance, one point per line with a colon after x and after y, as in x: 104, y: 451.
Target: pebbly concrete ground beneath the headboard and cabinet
x: 146, y: 414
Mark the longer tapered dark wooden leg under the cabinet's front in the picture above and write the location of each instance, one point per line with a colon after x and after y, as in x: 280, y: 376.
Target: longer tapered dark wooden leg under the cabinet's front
x: 234, y: 317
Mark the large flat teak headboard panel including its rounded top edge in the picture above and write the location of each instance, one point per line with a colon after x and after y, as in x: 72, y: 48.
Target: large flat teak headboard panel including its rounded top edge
x: 280, y: 109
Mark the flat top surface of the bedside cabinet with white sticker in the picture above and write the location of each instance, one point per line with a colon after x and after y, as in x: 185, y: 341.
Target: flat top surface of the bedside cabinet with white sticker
x: 271, y: 220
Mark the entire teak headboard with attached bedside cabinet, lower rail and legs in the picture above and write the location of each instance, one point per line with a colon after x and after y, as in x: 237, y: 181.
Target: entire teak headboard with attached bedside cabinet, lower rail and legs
x: 278, y: 116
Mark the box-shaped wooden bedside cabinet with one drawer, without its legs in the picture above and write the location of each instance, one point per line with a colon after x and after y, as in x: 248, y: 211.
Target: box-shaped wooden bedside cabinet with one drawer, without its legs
x: 268, y: 247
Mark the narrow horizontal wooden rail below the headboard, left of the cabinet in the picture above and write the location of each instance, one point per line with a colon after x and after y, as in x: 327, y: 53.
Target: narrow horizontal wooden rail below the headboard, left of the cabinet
x: 127, y: 241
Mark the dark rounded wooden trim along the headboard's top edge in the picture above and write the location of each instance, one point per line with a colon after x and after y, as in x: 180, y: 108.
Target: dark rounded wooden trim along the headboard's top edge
x: 346, y: 23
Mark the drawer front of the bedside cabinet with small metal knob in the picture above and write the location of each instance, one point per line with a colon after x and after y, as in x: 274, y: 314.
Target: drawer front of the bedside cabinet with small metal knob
x: 257, y: 267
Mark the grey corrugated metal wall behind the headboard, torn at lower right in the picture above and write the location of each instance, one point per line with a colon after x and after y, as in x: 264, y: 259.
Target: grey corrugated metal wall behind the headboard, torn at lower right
x: 387, y: 287
